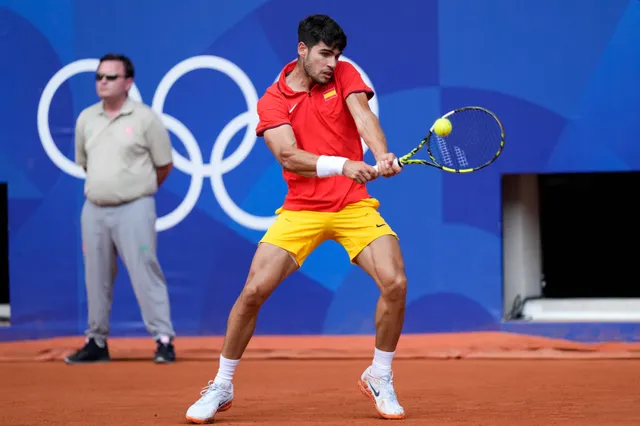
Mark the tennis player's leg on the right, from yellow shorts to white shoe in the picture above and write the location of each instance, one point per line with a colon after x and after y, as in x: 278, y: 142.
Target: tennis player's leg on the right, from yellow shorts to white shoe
x: 373, y: 246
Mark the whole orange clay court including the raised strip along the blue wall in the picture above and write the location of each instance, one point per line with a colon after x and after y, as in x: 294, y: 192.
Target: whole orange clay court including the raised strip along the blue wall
x: 457, y: 379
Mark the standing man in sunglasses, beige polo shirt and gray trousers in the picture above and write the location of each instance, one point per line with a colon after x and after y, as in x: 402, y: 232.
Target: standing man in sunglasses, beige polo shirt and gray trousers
x: 126, y: 153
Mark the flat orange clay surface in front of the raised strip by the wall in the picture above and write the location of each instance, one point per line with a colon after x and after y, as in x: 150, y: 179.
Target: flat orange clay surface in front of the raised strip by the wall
x: 302, y: 392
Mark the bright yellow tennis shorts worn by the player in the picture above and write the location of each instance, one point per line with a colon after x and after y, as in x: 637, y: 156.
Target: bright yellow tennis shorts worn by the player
x: 354, y: 227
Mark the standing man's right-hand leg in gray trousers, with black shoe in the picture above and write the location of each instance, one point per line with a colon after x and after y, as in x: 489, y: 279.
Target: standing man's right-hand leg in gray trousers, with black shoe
x: 136, y: 240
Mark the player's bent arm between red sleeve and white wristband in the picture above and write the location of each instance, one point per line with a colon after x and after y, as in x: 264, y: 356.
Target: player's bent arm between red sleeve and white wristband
x: 282, y: 142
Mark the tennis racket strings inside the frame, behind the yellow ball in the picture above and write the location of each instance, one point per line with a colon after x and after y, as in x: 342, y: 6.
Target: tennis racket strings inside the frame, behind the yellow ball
x: 474, y: 141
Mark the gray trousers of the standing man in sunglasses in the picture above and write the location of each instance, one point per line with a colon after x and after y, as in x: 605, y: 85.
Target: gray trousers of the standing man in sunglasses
x: 127, y: 230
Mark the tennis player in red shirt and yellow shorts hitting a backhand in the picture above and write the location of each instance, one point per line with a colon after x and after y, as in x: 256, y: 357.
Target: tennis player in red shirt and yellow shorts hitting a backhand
x: 312, y: 119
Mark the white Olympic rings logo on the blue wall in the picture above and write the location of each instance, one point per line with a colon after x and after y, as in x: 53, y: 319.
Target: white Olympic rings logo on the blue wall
x: 194, y: 165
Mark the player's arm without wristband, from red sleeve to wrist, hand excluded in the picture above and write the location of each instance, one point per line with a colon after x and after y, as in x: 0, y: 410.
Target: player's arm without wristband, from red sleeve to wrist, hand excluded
x: 367, y: 123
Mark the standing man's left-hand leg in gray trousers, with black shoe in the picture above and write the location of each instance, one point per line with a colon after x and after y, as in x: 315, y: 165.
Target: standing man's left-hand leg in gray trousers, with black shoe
x: 100, y: 265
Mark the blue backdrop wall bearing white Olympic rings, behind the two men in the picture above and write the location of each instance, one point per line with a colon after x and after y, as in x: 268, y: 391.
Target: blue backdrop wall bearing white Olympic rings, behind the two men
x: 563, y: 76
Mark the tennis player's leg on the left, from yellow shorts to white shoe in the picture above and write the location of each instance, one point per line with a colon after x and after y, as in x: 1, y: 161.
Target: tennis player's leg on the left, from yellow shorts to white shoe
x: 281, y: 251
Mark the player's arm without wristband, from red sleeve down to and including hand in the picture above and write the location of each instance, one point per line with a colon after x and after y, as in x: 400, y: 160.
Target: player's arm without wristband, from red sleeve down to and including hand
x: 369, y: 128
